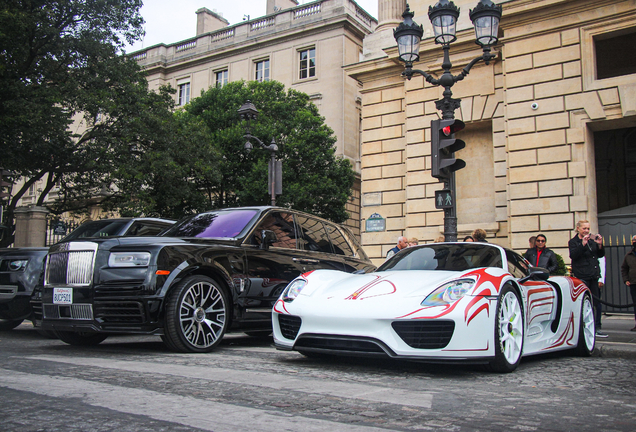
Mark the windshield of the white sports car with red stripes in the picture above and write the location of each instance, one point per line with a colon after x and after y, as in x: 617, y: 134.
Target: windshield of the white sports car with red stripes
x: 449, y: 257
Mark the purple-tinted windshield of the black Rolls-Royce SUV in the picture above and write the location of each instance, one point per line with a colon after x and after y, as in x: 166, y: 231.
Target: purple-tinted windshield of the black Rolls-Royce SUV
x: 222, y: 224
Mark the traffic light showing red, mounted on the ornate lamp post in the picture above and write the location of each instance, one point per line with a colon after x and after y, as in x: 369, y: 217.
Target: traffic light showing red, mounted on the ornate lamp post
x: 443, y: 146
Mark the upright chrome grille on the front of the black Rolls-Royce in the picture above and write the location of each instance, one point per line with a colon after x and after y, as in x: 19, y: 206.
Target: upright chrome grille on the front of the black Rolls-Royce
x: 70, y: 268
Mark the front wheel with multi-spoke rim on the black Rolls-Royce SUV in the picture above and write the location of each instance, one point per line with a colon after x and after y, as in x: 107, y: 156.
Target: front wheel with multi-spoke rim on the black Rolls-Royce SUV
x: 197, y: 315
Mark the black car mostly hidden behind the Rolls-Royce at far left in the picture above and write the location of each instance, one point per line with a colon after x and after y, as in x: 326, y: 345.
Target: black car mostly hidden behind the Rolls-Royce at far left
x: 21, y: 268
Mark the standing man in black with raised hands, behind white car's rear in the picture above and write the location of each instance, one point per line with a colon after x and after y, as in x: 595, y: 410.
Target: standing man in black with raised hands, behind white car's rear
x: 585, y: 250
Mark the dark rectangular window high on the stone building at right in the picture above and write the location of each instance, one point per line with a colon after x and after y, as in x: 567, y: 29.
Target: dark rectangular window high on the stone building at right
x: 612, y: 54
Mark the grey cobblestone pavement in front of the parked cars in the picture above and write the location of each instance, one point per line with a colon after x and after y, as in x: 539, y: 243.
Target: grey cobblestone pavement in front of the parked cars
x: 135, y: 384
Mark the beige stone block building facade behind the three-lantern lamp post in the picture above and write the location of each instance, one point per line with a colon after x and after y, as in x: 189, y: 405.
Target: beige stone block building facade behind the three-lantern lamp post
x: 550, y: 124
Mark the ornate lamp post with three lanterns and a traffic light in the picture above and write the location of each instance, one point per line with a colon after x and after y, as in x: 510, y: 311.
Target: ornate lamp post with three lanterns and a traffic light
x: 408, y: 34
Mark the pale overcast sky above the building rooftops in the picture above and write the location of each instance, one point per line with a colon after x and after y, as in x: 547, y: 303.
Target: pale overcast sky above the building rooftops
x: 170, y: 21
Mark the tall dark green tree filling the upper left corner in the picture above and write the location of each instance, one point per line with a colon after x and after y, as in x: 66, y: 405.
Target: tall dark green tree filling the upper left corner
x: 70, y: 104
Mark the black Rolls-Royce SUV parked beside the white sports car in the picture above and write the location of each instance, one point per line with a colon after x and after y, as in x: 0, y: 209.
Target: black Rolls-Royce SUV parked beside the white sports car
x: 211, y: 272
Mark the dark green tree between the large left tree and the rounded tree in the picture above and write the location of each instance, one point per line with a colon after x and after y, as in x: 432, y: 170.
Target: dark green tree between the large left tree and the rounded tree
x: 173, y: 176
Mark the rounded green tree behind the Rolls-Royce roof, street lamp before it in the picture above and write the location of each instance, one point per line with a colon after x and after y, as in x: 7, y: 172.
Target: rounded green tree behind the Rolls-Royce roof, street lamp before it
x: 314, y: 179
